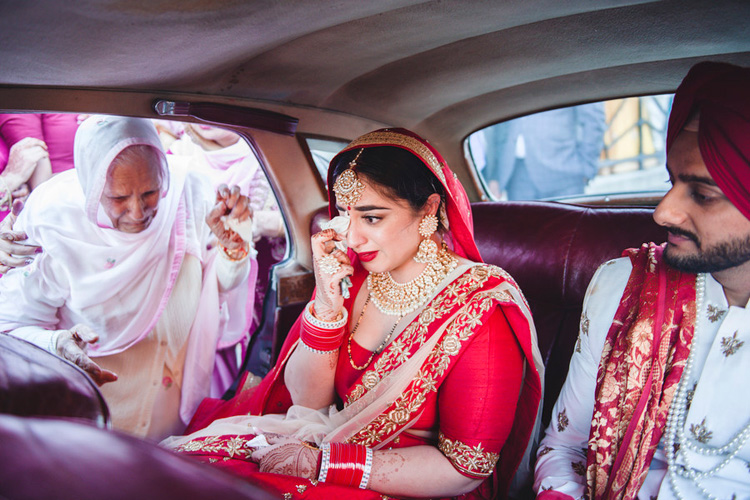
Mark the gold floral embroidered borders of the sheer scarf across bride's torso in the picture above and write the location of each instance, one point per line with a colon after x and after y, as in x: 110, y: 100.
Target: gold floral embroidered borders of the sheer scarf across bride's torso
x: 461, y: 328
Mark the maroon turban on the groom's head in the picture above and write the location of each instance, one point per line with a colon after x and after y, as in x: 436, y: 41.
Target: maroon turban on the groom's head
x: 721, y: 92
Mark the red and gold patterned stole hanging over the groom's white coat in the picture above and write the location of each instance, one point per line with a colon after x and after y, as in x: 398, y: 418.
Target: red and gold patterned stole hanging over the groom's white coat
x: 642, y: 362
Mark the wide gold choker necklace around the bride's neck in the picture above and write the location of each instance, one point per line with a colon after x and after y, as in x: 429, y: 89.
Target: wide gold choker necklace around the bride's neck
x: 400, y: 299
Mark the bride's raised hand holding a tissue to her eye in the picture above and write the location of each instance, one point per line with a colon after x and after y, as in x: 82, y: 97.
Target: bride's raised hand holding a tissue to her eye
x: 331, y: 266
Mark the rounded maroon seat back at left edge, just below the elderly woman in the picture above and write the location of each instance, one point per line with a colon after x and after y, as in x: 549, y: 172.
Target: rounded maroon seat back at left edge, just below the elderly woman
x: 34, y: 382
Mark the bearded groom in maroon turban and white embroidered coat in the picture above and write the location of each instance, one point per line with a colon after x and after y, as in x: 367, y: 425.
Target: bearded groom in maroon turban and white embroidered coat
x: 657, y: 400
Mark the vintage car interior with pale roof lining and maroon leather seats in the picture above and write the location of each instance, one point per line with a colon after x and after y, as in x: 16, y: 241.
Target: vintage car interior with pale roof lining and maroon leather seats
x: 298, y: 80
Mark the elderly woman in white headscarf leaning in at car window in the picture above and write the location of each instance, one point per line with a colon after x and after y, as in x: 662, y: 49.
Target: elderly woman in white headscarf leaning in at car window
x: 131, y: 285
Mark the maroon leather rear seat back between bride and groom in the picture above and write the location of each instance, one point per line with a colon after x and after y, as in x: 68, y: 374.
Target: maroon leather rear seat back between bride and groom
x: 552, y: 250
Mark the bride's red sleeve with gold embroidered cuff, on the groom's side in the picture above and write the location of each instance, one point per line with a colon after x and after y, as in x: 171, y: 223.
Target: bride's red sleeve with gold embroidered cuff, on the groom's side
x: 477, y: 401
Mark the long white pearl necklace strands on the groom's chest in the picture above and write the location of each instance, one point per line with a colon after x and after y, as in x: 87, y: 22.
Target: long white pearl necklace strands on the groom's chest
x: 675, y: 430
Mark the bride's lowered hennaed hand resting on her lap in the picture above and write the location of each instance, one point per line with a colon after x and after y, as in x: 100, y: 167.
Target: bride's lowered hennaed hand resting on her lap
x: 287, y: 455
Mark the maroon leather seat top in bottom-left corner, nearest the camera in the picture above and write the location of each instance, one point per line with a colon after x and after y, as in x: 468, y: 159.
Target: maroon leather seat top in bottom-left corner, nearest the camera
x: 54, y: 458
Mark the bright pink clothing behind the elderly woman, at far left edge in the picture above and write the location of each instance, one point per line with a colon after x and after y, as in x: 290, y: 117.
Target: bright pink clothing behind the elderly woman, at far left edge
x: 56, y: 129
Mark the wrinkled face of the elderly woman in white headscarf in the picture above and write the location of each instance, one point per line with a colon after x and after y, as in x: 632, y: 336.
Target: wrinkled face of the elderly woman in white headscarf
x: 132, y: 192
